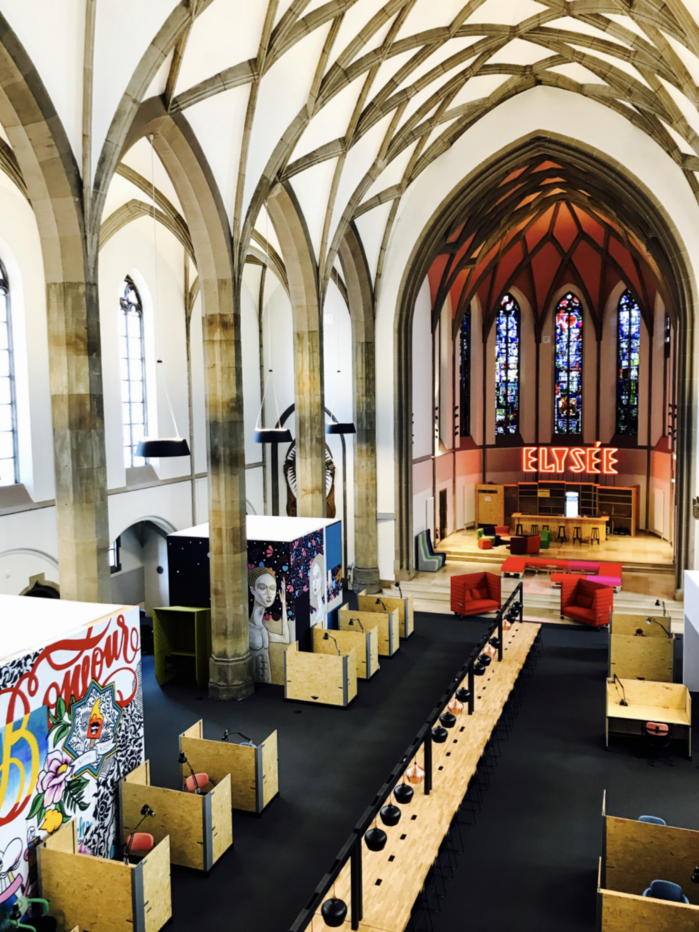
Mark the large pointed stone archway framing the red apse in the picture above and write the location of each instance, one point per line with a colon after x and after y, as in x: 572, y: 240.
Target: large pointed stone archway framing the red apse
x: 644, y: 215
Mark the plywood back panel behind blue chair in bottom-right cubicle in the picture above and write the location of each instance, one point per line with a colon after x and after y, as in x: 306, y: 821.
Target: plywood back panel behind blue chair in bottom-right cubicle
x: 639, y: 852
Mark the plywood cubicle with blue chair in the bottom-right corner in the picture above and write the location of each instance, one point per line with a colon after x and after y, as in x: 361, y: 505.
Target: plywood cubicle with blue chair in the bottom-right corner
x: 635, y: 854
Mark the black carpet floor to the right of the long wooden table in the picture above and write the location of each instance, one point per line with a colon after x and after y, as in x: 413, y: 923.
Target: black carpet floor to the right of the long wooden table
x: 530, y: 862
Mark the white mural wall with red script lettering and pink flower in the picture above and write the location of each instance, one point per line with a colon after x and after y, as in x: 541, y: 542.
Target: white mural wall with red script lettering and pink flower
x: 73, y: 727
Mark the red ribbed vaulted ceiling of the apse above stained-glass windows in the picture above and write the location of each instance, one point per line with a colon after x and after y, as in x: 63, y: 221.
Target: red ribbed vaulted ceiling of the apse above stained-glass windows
x: 543, y: 226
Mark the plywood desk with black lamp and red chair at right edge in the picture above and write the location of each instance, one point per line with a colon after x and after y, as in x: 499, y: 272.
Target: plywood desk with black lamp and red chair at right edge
x: 669, y: 703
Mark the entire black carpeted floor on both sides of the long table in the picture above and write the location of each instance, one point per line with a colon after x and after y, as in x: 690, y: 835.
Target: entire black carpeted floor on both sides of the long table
x: 537, y: 836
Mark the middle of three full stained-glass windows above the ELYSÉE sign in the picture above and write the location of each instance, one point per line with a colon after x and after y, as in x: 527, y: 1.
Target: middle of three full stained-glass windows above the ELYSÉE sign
x: 568, y: 387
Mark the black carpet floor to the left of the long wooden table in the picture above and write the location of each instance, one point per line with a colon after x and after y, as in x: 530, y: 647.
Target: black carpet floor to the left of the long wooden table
x: 331, y: 763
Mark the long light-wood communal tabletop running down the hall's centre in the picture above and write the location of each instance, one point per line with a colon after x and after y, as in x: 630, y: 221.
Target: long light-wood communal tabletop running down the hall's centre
x: 393, y: 878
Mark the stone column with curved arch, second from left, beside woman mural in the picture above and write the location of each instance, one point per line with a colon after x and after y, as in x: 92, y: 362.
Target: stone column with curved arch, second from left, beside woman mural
x: 185, y: 163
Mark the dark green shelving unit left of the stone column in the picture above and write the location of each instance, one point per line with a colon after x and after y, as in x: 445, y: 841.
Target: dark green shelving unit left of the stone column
x: 180, y: 632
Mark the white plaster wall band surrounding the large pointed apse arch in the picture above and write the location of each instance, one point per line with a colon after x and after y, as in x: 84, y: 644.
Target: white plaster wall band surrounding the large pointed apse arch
x: 545, y: 110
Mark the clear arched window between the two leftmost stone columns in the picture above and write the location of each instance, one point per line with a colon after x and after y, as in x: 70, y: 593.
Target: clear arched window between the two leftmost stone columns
x: 132, y: 359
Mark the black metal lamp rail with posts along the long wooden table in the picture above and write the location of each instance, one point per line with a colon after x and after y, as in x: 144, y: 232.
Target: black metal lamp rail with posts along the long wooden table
x: 513, y: 611
